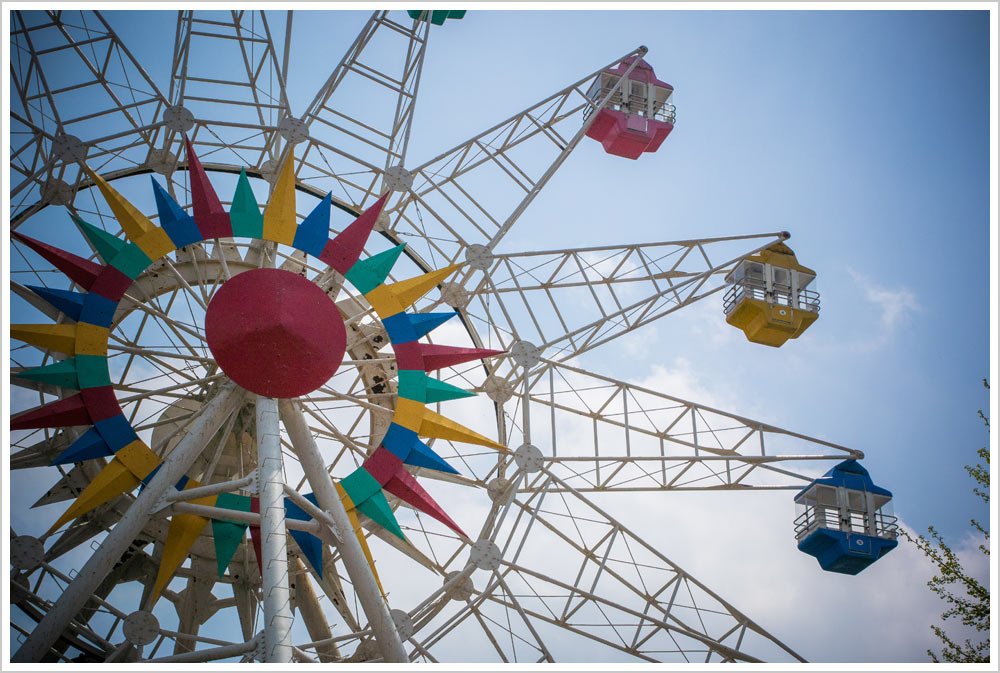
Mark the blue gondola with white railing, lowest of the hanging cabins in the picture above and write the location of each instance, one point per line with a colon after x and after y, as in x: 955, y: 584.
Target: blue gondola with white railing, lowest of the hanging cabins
x: 845, y: 520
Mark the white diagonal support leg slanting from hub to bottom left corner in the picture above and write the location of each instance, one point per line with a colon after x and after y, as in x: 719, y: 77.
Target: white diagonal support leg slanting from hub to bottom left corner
x: 121, y: 536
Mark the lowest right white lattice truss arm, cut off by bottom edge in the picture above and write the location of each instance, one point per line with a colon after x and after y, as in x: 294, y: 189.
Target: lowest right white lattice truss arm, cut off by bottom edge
x: 618, y: 592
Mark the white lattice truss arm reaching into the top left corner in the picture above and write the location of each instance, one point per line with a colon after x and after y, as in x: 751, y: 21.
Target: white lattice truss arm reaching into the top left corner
x: 72, y: 78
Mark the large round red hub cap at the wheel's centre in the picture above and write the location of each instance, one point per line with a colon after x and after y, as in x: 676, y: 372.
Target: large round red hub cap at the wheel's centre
x: 275, y: 333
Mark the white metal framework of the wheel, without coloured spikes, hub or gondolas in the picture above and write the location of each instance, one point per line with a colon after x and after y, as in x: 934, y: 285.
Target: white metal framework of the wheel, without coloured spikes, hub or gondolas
x: 546, y: 565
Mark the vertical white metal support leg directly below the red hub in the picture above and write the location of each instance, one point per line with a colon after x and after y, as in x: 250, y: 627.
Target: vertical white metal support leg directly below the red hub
x: 274, y: 539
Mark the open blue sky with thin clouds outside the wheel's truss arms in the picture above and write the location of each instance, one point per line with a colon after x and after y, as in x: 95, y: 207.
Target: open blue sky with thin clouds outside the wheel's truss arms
x: 863, y: 133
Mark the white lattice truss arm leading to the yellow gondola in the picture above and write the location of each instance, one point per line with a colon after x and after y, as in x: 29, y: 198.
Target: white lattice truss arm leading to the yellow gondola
x: 567, y: 302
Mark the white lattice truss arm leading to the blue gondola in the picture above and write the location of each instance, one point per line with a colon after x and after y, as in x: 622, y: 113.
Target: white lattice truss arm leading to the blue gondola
x: 602, y: 434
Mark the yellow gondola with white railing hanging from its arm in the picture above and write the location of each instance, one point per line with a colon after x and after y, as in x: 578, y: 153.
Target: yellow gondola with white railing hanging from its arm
x: 768, y: 298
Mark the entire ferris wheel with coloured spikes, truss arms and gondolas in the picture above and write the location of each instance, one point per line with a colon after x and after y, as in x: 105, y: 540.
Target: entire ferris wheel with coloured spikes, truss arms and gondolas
x: 290, y: 403
